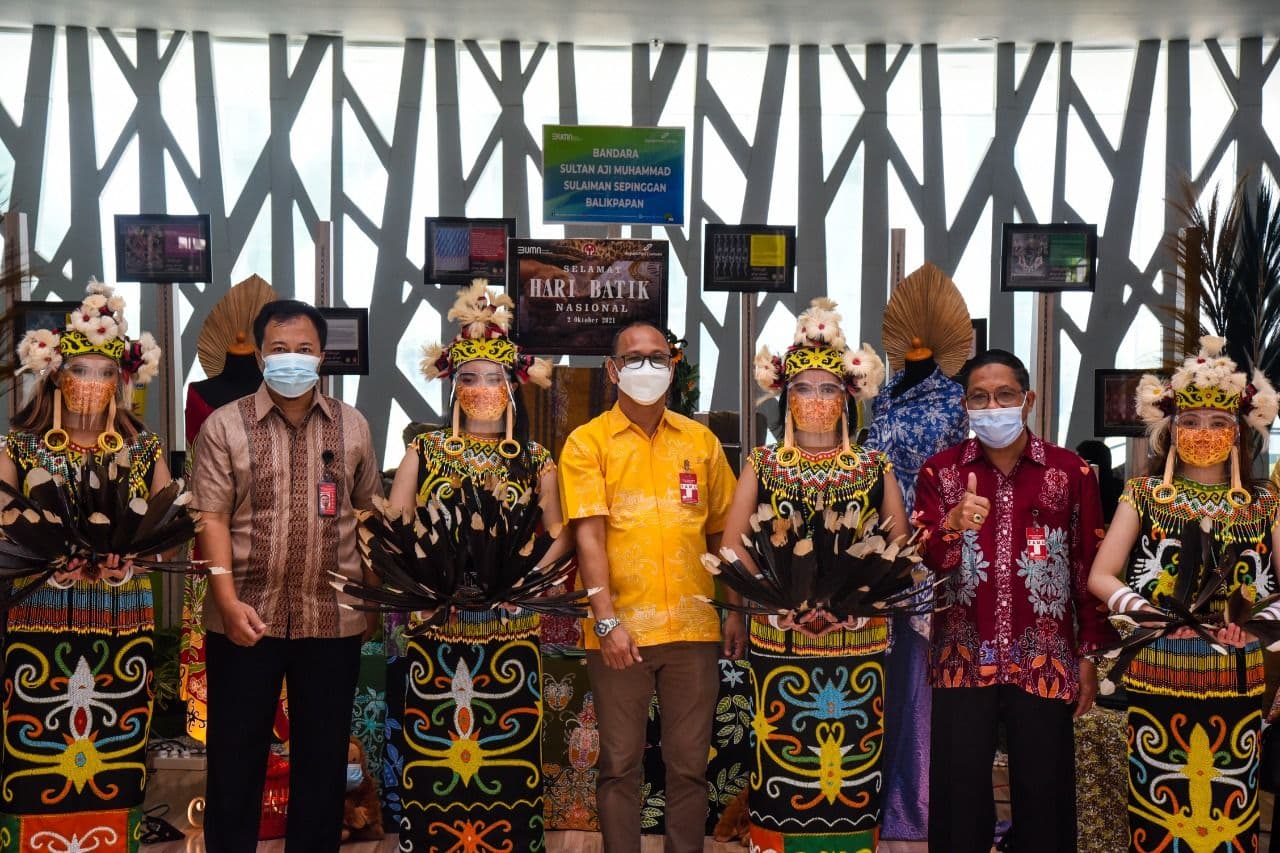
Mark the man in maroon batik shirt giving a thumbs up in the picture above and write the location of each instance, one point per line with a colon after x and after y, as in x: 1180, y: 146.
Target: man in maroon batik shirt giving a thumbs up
x: 1016, y: 523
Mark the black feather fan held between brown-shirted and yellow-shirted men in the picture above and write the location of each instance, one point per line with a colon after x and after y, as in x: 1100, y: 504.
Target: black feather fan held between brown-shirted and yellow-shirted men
x: 477, y: 554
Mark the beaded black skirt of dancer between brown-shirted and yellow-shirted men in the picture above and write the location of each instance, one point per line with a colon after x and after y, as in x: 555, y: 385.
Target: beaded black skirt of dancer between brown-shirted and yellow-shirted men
x: 472, y: 738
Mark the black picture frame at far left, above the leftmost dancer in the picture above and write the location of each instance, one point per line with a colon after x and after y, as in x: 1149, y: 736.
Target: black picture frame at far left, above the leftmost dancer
x: 161, y: 249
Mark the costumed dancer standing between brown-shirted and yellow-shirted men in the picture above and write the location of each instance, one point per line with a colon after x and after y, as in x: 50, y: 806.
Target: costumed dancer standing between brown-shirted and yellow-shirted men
x: 470, y: 737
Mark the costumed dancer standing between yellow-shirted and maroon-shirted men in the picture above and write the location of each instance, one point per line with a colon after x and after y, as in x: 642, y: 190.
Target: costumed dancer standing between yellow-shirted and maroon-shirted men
x: 819, y: 678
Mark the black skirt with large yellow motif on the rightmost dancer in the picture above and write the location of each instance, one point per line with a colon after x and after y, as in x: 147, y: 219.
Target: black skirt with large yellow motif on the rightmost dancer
x: 1194, y: 773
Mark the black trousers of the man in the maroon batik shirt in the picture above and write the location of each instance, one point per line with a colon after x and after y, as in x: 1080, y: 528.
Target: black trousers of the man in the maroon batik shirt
x: 1041, y: 770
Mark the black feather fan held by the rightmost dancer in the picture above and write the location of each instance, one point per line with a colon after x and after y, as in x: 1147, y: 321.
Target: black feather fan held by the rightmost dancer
x: 1200, y: 577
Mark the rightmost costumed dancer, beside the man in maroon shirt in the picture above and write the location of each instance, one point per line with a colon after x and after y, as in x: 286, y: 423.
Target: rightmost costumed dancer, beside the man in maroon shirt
x: 1196, y: 548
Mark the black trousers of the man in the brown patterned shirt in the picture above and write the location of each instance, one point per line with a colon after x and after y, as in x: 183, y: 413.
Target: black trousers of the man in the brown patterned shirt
x: 244, y: 688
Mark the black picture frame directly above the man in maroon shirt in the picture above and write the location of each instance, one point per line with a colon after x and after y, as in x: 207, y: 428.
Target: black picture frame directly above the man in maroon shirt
x: 1049, y: 258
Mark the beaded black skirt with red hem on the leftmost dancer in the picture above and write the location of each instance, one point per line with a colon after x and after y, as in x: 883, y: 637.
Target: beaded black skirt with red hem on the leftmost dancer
x: 77, y: 713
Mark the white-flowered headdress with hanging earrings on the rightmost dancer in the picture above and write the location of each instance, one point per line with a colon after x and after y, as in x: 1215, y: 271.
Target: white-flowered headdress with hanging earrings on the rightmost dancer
x: 1206, y: 381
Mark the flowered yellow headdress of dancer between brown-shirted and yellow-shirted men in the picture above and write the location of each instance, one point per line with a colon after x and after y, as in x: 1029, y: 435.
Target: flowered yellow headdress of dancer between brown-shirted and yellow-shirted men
x: 484, y: 318
